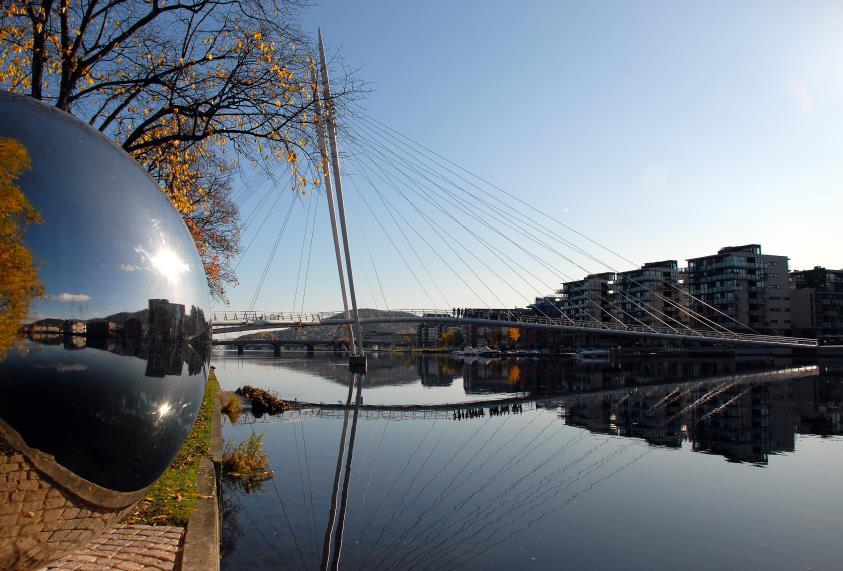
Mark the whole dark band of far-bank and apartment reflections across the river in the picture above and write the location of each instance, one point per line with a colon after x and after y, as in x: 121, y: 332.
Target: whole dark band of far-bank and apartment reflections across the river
x: 743, y: 408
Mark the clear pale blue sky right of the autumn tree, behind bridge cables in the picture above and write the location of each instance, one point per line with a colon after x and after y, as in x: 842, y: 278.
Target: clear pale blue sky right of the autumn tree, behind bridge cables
x: 664, y: 130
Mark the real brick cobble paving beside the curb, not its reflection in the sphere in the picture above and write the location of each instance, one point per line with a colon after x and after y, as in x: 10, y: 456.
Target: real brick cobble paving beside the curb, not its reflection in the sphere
x: 128, y: 548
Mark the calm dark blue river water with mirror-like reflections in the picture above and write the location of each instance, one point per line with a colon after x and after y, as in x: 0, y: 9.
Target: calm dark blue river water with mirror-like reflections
x: 648, y: 463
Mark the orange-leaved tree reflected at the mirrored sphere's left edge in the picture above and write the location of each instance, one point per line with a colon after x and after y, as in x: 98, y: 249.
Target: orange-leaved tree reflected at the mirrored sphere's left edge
x: 20, y: 276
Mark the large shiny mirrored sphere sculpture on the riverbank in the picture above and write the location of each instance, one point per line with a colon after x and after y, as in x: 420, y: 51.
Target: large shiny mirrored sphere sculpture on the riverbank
x: 104, y: 340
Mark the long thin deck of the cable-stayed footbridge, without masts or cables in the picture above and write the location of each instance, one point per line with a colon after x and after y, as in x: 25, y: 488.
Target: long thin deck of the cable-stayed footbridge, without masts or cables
x: 238, y: 321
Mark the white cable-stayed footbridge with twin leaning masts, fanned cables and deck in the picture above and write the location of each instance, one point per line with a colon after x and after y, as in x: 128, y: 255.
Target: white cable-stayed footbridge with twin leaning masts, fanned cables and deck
x: 439, y: 217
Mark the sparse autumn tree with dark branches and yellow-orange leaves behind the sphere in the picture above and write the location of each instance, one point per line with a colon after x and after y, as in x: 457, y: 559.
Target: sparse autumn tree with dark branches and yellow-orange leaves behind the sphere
x: 194, y: 90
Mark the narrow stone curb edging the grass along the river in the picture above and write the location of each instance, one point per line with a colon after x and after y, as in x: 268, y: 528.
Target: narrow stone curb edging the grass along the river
x: 202, y: 537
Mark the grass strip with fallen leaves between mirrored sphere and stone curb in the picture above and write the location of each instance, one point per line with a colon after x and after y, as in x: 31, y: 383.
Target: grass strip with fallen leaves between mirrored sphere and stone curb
x: 172, y: 499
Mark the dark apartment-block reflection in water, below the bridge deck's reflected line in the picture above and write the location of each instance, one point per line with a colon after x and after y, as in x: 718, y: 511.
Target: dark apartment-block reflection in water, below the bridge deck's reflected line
x: 744, y: 418
